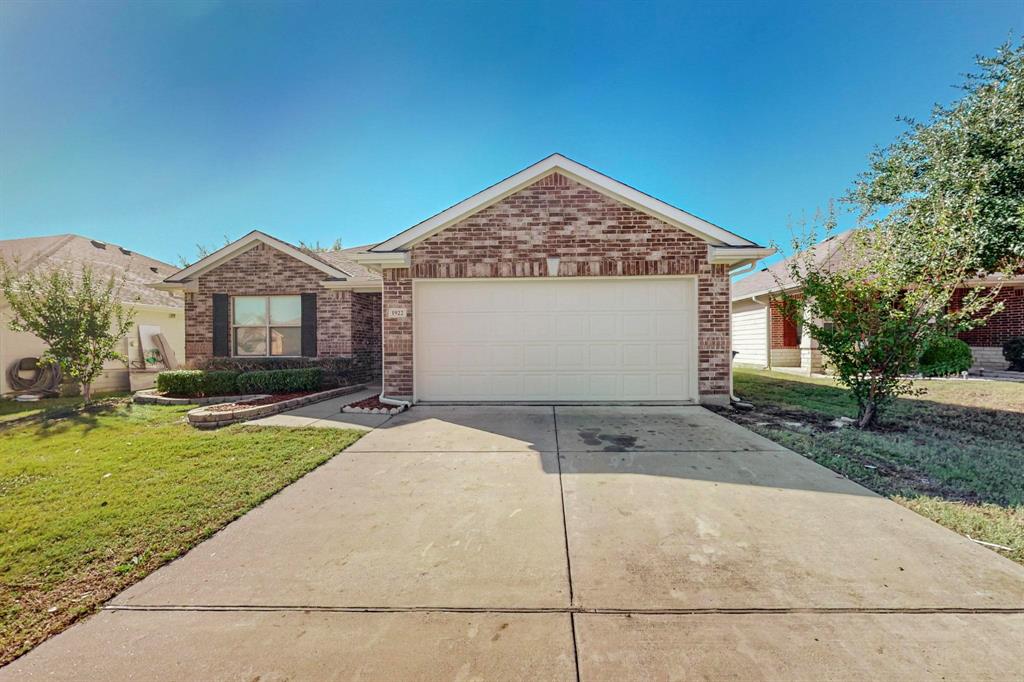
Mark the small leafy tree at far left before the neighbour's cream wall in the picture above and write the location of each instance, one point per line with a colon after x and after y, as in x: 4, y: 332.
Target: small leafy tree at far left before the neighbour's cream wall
x: 81, y: 320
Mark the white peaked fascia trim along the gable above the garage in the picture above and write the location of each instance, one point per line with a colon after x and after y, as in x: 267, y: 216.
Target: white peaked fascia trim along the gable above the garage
x: 582, y: 175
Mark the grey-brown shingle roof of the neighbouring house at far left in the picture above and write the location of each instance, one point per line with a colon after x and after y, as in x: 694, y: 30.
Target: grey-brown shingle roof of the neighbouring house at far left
x: 71, y: 252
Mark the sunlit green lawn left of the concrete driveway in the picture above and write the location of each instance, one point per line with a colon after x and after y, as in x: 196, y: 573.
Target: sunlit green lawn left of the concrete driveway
x: 94, y: 502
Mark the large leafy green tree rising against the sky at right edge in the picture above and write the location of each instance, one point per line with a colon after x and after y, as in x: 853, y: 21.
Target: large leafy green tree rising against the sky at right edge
x: 961, y: 173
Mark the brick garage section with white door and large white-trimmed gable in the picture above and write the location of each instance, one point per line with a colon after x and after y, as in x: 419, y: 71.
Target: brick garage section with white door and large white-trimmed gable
x: 560, y: 284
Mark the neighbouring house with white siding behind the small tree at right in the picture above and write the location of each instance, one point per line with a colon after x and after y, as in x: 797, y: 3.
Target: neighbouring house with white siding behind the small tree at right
x: 763, y: 337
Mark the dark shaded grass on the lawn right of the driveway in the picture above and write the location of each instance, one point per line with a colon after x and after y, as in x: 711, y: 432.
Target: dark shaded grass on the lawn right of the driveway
x: 925, y: 447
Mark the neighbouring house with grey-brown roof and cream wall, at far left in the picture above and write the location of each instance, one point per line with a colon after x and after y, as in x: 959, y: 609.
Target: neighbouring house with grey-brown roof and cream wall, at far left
x: 153, y: 309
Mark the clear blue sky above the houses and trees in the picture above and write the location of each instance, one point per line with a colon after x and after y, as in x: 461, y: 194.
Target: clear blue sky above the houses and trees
x: 161, y: 125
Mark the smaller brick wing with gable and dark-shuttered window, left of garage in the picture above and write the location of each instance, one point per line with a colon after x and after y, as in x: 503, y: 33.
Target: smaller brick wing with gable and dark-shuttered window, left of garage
x: 262, y: 297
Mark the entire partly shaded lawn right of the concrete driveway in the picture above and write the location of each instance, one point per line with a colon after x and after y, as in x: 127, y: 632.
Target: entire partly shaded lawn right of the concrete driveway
x: 955, y: 454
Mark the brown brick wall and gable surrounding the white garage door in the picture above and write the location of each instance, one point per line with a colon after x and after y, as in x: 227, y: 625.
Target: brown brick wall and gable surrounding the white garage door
x: 591, y: 235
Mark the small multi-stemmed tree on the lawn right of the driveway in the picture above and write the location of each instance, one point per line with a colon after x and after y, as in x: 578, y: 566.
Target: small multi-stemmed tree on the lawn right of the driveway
x: 876, y: 306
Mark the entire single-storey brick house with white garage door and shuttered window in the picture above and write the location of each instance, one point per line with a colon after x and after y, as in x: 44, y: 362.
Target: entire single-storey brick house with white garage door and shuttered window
x: 559, y: 230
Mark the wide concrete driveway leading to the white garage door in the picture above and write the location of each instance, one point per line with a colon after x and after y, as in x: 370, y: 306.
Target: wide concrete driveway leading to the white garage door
x: 563, y: 543
